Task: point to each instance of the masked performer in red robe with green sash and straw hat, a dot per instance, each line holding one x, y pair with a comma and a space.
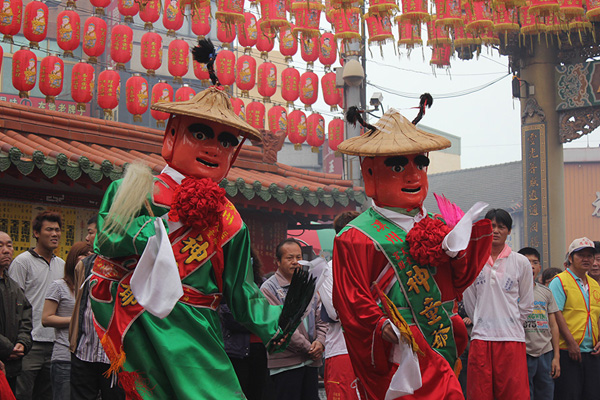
398, 270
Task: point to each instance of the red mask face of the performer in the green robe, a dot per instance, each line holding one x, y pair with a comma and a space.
199, 148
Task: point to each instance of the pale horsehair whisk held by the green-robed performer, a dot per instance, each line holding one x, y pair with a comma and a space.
137, 186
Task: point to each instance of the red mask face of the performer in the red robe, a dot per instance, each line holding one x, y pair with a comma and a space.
396, 181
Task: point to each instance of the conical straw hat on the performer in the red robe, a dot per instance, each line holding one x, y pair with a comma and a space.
395, 136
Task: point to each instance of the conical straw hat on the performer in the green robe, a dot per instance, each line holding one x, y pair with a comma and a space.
211, 104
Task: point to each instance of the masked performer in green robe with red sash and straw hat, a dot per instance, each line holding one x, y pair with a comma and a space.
170, 248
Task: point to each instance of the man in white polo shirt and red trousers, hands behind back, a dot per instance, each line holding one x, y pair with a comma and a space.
498, 303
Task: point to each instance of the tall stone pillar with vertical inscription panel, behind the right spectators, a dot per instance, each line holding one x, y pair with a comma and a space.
542, 151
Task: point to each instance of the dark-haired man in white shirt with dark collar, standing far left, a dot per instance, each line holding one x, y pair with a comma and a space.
34, 270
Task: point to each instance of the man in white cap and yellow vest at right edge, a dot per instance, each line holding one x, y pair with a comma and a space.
578, 300
